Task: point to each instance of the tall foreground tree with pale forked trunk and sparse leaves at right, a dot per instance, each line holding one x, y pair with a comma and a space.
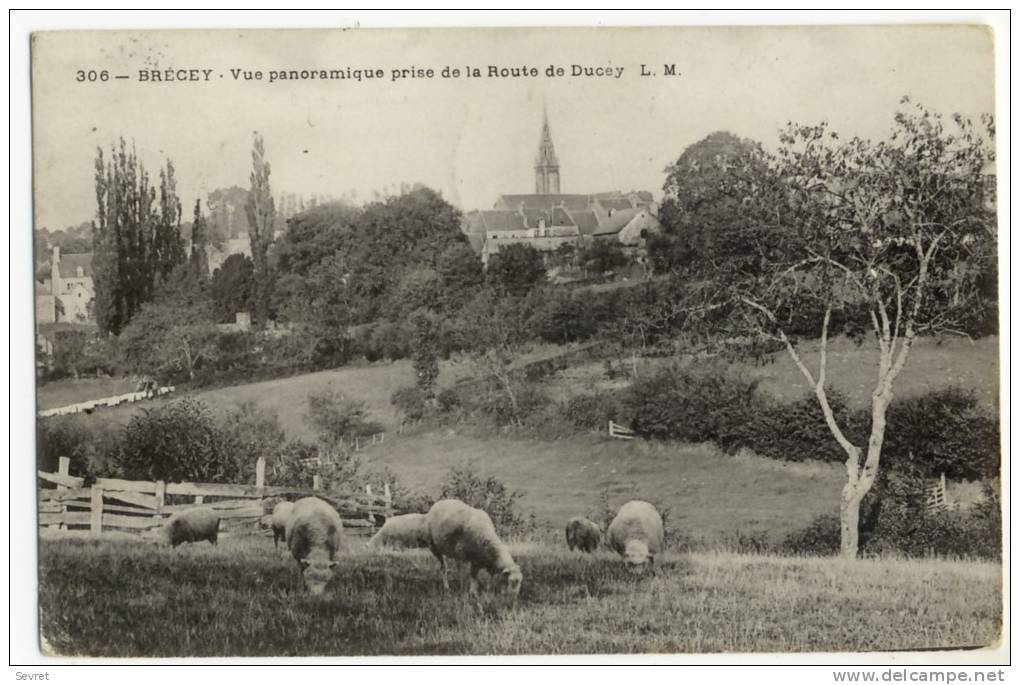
871, 236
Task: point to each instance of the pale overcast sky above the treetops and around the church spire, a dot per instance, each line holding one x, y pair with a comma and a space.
472, 139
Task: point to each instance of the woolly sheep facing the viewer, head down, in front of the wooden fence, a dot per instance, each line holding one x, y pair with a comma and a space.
315, 535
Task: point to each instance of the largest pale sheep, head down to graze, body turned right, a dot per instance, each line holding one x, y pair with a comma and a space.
466, 534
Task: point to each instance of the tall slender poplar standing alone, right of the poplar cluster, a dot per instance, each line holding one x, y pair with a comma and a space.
262, 218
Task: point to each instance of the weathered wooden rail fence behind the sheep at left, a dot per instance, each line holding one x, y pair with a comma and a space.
113, 504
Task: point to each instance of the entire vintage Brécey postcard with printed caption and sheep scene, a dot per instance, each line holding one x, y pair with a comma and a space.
518, 341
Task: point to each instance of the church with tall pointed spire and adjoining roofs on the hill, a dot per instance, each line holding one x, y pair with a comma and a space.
549, 220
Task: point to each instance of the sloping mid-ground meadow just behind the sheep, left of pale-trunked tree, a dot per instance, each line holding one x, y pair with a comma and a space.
709, 496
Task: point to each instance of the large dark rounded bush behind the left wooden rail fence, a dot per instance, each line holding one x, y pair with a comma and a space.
180, 442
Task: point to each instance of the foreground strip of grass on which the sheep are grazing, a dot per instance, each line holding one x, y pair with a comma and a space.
117, 599
